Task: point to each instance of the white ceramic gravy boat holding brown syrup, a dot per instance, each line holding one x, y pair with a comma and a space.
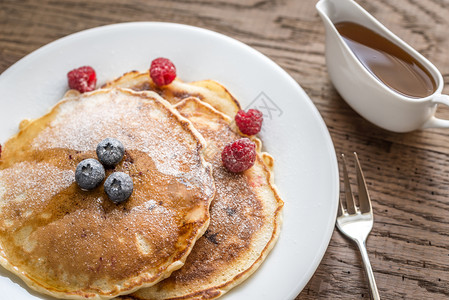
366, 94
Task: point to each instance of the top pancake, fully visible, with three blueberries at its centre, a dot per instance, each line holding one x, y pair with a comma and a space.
70, 243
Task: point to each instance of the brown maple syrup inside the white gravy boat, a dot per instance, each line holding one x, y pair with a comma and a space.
389, 63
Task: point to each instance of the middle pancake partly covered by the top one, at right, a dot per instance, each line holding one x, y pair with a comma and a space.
245, 219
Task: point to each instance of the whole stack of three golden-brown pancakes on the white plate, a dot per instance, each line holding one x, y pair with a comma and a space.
190, 230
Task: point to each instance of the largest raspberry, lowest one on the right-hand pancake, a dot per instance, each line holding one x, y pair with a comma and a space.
239, 155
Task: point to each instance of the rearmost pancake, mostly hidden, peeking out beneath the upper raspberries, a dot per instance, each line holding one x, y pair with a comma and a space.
208, 91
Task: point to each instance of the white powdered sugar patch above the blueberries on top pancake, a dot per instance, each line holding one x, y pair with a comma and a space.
93, 120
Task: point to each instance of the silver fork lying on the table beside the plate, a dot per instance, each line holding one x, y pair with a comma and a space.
355, 221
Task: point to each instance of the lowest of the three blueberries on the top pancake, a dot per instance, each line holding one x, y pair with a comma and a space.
118, 186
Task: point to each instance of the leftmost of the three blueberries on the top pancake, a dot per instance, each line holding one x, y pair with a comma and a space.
89, 174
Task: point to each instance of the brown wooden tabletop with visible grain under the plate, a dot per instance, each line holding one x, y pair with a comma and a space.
407, 174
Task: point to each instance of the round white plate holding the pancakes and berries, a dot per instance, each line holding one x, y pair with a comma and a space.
306, 171
